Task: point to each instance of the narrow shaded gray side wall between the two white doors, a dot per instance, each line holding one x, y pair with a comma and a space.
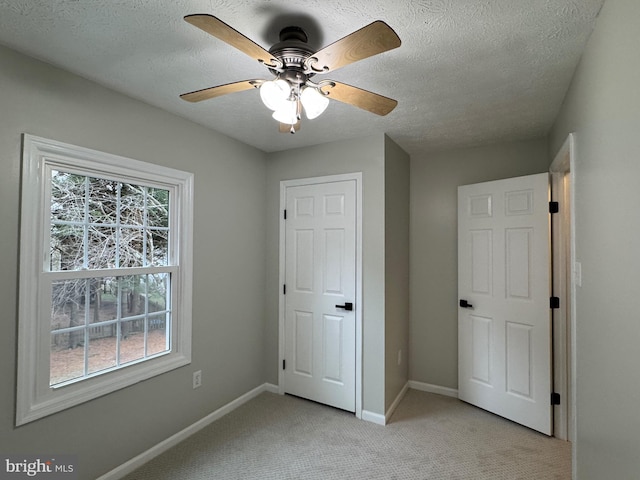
396, 182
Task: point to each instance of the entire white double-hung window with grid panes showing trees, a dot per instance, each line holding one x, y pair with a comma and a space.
105, 274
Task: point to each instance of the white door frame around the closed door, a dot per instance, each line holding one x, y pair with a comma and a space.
284, 184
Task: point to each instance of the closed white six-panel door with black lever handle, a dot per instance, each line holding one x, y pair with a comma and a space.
320, 276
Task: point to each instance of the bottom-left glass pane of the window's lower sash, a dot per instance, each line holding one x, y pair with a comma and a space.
66, 363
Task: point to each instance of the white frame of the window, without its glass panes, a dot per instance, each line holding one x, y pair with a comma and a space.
35, 397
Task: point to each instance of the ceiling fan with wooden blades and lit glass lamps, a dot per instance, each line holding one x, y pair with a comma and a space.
294, 65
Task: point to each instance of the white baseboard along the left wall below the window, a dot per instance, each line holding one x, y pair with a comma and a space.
173, 440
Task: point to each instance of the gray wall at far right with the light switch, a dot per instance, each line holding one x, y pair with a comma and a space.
602, 108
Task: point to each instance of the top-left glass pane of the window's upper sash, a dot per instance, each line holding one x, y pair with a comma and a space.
67, 197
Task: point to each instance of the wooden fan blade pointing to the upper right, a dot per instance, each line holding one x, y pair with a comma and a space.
375, 38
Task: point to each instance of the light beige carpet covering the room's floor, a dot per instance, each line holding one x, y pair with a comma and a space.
428, 437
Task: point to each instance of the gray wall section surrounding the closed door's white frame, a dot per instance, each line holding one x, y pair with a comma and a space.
367, 156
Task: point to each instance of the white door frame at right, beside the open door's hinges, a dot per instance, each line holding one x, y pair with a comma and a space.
564, 279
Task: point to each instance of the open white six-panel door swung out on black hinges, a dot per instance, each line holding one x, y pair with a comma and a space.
504, 335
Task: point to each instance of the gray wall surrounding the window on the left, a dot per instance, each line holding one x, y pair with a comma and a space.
229, 272
